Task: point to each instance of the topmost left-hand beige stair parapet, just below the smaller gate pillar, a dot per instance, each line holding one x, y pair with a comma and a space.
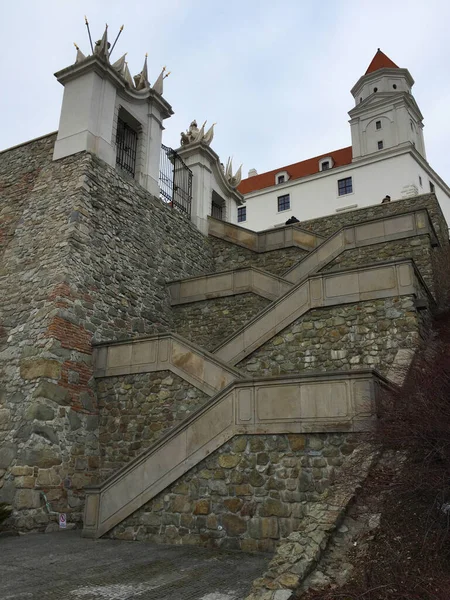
258, 241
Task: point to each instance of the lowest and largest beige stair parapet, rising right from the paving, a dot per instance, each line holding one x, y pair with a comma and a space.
333, 402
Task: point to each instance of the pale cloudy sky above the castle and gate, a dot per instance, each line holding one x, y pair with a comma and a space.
275, 75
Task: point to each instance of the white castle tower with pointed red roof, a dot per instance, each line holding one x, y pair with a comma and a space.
385, 114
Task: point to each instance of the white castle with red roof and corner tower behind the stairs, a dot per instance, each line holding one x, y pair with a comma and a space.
387, 157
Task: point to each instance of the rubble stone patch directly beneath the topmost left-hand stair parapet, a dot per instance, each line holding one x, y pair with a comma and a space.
228, 256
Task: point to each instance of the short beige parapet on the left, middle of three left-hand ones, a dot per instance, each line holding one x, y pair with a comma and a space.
228, 283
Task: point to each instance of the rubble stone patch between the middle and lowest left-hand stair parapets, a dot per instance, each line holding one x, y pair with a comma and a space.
208, 322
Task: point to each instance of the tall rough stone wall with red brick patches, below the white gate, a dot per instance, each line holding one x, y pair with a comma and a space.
87, 257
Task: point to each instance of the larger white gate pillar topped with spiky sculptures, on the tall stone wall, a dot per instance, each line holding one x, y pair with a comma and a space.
107, 112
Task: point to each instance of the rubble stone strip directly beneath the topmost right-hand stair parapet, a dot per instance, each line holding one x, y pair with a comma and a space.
418, 248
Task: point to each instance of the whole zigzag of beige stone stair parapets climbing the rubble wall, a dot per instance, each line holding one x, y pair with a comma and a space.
327, 402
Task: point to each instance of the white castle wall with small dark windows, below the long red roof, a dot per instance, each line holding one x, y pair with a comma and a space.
317, 195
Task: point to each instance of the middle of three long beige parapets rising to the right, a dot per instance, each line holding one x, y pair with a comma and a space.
313, 293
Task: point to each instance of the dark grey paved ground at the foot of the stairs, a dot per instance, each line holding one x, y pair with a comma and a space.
65, 566
